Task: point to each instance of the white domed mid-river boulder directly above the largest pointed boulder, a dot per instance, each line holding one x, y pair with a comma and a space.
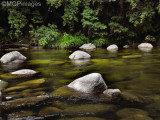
79, 55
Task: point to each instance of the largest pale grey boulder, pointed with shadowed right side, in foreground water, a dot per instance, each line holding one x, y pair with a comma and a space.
92, 83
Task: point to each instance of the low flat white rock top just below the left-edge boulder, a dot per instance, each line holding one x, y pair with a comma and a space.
24, 72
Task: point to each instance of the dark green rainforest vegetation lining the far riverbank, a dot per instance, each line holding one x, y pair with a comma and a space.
70, 23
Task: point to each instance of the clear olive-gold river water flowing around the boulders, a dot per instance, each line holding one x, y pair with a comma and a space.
135, 73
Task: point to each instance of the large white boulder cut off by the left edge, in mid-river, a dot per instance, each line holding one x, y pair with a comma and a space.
12, 56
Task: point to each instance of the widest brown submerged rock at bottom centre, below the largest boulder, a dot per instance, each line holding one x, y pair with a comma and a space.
89, 109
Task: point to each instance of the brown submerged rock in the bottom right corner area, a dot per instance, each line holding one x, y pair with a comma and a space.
127, 112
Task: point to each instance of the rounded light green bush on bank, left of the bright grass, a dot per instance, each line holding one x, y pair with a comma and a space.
47, 36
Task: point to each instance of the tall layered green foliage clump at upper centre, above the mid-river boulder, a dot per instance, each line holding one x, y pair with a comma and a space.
91, 23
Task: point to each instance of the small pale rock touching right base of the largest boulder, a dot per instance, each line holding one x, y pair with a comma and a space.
112, 92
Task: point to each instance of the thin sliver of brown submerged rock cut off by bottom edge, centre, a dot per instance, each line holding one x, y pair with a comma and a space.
83, 118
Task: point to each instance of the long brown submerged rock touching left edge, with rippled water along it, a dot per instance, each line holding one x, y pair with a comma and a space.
22, 102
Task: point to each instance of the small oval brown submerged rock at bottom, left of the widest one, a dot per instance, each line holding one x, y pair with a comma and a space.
49, 111
